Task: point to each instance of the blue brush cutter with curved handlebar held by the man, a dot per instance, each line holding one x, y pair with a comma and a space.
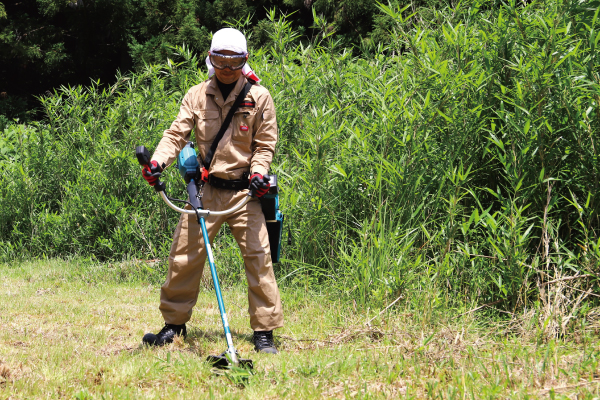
189, 169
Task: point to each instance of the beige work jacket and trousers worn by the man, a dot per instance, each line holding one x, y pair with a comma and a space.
247, 146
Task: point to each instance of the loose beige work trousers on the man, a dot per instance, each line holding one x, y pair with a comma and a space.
186, 260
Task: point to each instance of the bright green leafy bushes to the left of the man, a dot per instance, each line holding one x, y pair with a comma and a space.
75, 161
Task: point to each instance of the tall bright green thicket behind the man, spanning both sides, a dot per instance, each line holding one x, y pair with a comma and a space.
460, 158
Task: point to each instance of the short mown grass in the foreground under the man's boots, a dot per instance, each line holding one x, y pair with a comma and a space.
70, 330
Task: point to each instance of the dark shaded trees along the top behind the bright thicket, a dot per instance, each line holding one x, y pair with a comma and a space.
45, 44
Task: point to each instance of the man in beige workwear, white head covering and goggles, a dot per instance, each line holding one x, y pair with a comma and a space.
245, 150
